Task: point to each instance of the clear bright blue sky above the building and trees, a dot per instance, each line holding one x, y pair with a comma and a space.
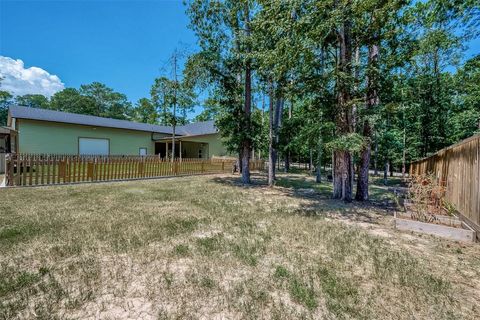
121, 43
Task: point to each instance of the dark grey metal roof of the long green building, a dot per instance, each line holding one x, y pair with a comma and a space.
19, 112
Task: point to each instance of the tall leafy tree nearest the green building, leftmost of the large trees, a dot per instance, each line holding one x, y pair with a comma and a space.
224, 33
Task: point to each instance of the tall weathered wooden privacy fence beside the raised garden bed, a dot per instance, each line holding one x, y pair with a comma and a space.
458, 169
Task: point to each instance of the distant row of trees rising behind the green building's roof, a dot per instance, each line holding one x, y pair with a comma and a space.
97, 99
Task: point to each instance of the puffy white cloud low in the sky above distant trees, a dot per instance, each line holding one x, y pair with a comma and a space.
19, 81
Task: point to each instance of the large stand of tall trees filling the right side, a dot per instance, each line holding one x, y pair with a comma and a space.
363, 84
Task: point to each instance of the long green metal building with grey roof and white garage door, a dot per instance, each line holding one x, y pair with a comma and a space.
41, 131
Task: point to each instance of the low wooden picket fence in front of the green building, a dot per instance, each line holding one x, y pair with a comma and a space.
41, 169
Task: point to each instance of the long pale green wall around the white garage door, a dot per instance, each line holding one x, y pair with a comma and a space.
51, 137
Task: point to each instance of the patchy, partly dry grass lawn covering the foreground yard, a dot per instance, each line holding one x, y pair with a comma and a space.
206, 247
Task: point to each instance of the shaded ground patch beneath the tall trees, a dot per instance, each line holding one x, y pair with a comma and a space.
316, 197
